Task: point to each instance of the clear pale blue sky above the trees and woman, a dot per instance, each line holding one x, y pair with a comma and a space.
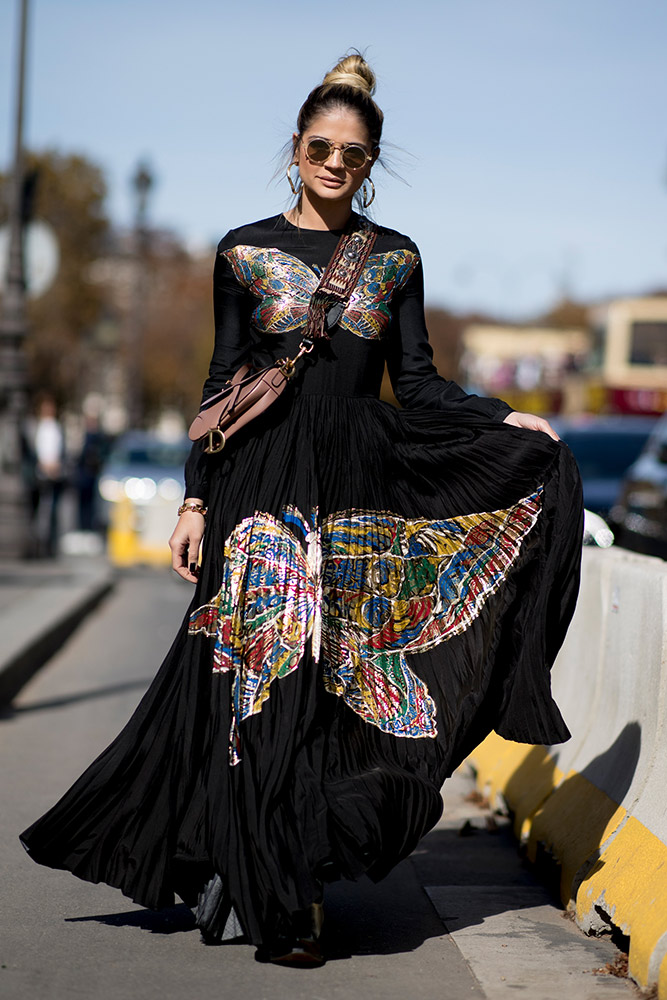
537, 128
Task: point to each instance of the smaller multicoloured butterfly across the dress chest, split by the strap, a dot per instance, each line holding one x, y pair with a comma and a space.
283, 286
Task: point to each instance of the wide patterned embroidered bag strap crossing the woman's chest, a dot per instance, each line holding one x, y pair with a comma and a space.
339, 279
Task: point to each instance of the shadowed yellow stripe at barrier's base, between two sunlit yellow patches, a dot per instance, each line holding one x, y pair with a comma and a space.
571, 824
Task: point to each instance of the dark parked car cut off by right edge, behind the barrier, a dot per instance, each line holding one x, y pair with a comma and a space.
640, 516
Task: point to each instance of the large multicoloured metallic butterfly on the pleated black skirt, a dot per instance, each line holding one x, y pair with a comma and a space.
368, 589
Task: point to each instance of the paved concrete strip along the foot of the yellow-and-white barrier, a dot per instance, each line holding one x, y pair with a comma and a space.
514, 936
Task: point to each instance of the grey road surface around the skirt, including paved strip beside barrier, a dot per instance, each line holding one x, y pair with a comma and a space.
61, 938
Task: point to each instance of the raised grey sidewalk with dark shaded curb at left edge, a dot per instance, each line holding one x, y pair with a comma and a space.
41, 603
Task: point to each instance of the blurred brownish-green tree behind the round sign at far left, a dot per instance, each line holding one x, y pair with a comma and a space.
69, 194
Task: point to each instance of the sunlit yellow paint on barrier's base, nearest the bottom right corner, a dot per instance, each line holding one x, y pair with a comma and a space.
629, 882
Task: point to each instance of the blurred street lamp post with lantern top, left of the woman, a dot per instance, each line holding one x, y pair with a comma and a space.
142, 182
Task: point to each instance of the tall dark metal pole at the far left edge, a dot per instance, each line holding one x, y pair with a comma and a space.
14, 512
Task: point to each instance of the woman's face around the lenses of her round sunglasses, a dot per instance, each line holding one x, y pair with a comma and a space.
333, 181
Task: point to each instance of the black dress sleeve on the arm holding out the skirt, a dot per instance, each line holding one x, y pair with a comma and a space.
414, 377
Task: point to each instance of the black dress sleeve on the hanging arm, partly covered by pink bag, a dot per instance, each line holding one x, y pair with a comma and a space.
231, 350
